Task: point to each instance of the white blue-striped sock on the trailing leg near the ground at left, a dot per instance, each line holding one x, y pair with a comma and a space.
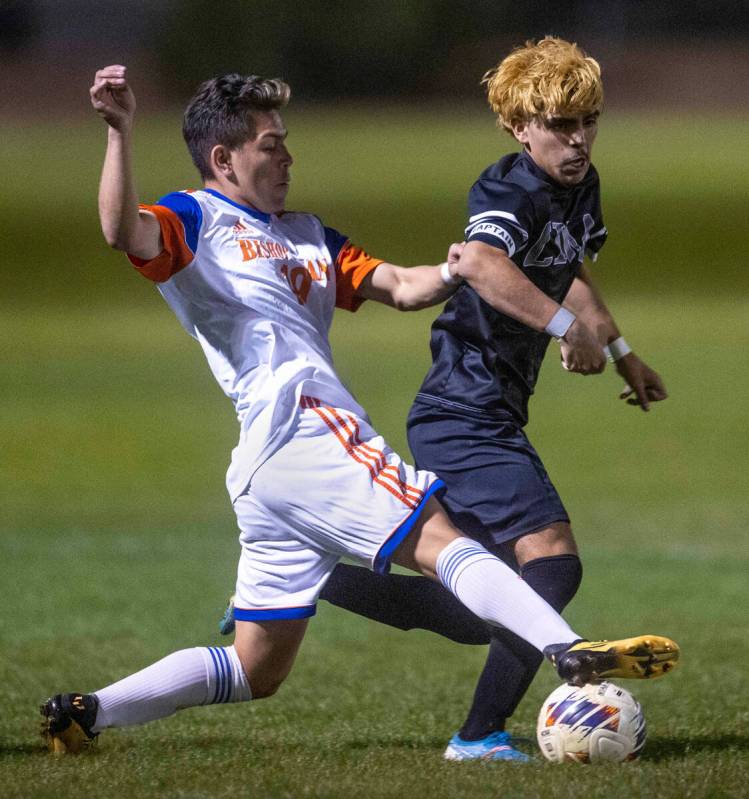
198, 676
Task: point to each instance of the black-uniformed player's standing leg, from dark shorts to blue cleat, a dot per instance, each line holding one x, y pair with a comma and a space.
499, 493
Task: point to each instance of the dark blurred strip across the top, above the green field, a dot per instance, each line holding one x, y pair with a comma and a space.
654, 51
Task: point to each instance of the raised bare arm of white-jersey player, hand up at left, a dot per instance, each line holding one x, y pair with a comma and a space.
124, 226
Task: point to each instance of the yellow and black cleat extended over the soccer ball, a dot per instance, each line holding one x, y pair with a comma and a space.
641, 658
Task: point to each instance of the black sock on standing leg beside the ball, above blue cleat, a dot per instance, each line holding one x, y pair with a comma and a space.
512, 663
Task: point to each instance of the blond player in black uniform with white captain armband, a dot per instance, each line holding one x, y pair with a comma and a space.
533, 217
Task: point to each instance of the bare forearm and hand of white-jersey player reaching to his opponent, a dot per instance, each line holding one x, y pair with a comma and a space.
414, 287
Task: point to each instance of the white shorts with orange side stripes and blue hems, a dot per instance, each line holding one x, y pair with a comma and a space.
334, 489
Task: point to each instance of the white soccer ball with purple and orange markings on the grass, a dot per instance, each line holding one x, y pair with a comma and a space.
591, 724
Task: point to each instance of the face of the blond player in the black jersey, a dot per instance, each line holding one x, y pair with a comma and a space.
560, 145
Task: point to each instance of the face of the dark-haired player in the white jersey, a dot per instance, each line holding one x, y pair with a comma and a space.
261, 166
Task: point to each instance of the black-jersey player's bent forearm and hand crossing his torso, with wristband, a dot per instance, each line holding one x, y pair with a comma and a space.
498, 282
